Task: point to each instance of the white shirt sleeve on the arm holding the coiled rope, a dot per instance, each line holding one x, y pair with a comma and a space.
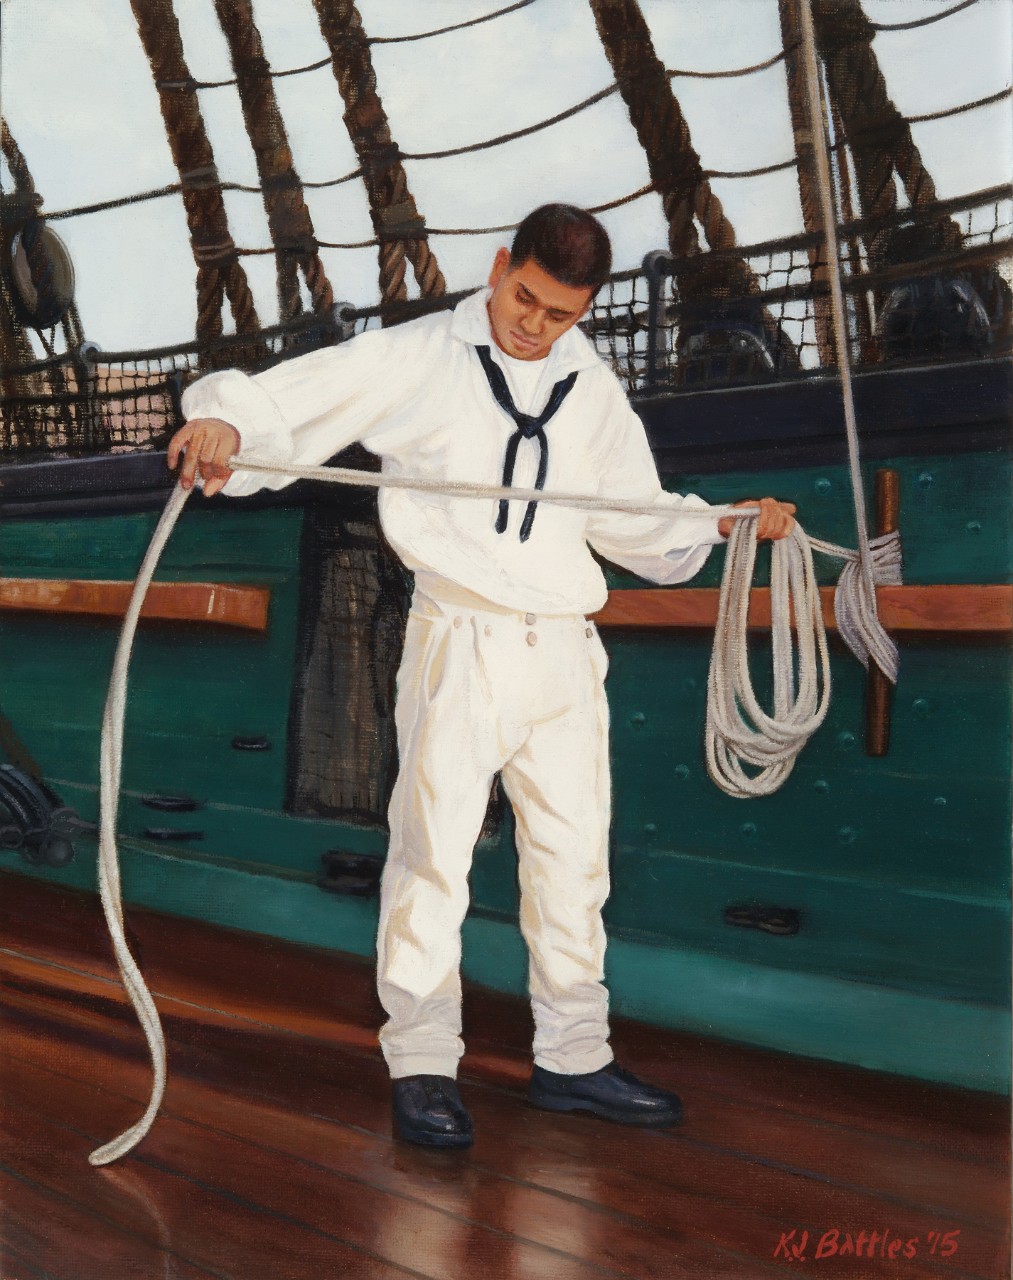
668, 548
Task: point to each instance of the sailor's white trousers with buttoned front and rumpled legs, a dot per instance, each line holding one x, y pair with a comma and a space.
483, 691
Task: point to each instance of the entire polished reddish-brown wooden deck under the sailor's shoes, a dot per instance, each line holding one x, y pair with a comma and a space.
273, 1155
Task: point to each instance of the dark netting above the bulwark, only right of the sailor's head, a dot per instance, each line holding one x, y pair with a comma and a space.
925, 285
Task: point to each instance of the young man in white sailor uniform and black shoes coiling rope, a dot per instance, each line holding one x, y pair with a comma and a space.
503, 673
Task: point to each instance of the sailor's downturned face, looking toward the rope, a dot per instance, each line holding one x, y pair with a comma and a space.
531, 309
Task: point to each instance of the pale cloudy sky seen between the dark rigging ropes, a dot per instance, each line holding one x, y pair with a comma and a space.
77, 93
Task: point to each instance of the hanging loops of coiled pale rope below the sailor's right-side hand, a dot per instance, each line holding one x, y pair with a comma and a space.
738, 732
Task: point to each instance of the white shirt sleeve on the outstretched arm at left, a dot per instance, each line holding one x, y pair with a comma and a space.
308, 409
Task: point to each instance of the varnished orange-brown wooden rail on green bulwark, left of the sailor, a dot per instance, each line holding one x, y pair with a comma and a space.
220, 604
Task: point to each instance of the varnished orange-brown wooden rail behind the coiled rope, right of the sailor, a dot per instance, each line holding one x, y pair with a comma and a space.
970, 609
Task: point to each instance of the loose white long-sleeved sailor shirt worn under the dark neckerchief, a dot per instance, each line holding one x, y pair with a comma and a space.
417, 396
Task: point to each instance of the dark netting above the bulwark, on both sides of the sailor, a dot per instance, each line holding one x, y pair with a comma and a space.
924, 285
